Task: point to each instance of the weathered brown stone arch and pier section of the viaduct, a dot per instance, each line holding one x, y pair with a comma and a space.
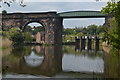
50, 20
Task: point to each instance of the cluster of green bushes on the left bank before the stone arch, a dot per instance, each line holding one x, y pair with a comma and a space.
16, 36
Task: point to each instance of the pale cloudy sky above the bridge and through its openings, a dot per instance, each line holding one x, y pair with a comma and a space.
61, 7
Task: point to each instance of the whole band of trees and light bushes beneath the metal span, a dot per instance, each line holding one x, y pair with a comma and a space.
91, 30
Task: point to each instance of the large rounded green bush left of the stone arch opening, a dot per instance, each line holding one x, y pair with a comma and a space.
16, 35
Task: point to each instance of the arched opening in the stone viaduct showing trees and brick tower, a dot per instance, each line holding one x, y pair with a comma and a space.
34, 31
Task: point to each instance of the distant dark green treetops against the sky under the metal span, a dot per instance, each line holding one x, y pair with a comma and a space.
90, 30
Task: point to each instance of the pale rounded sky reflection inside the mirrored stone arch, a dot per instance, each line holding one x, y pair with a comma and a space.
33, 60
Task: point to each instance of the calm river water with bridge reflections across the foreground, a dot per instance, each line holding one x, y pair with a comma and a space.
58, 62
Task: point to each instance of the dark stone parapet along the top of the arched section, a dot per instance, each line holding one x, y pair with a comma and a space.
28, 15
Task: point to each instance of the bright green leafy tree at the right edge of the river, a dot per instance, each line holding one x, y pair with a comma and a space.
113, 33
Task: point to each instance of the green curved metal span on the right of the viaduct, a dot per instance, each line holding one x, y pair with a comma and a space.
81, 14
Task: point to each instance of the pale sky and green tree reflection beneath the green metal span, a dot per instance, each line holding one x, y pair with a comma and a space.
82, 61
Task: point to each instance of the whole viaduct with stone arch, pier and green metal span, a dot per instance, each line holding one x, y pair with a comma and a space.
52, 21
